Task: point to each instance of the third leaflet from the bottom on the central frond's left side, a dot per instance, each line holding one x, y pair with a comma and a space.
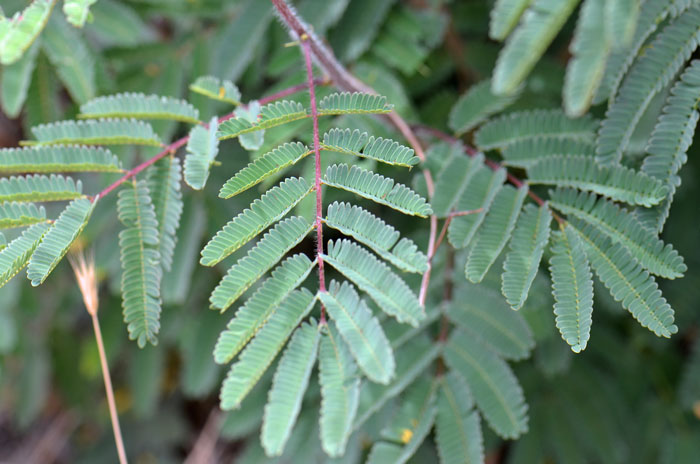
258, 309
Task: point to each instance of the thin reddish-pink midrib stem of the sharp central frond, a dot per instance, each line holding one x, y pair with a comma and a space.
317, 175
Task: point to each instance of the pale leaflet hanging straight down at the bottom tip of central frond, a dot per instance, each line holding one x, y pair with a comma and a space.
340, 391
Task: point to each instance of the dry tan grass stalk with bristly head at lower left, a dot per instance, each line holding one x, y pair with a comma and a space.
87, 282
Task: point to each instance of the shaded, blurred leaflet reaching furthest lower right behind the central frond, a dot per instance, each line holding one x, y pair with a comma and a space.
496, 390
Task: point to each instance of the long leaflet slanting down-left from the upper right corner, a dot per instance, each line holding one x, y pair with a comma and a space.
650, 73
